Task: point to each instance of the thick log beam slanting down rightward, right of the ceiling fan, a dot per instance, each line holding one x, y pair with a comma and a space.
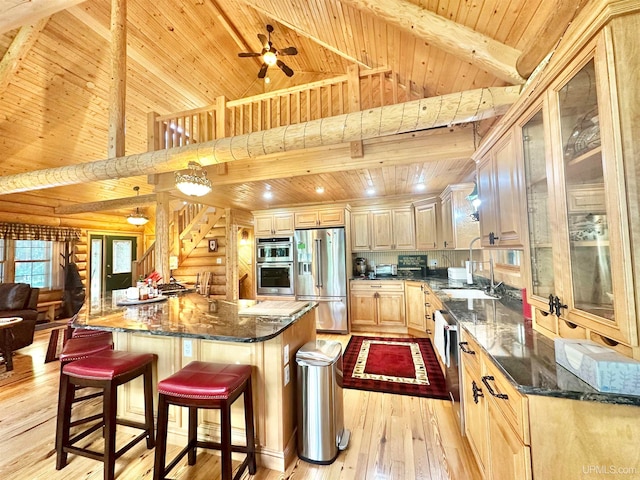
454, 38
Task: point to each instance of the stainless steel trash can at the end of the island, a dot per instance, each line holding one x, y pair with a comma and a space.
321, 432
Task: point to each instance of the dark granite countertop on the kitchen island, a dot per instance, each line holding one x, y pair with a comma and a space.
187, 315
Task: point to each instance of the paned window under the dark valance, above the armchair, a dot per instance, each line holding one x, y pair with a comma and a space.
33, 262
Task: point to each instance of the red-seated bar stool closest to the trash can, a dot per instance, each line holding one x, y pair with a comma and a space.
210, 386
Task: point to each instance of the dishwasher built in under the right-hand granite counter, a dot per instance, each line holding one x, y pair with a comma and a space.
446, 345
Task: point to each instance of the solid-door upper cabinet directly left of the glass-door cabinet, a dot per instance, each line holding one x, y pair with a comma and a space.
499, 189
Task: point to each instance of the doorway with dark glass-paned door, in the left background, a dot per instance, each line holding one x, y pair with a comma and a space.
112, 259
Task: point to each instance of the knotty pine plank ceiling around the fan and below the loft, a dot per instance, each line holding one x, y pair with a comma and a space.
182, 55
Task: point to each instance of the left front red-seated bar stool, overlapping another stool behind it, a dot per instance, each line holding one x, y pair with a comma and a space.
105, 370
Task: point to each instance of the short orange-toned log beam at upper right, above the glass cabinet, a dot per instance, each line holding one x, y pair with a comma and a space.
549, 35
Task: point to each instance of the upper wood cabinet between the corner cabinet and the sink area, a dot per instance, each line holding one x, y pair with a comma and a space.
458, 226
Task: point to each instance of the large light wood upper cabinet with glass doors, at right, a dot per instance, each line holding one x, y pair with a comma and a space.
577, 138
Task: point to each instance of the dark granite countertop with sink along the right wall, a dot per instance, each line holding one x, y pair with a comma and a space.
526, 357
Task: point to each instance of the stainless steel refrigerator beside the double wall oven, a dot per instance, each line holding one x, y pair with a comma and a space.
321, 275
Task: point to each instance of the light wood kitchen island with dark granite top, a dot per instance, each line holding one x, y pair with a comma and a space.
183, 328
